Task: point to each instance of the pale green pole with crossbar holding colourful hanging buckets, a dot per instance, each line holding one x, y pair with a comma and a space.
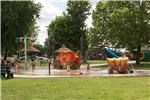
25, 40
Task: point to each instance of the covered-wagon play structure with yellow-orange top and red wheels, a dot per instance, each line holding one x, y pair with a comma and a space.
119, 65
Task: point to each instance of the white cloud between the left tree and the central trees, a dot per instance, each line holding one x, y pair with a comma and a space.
48, 13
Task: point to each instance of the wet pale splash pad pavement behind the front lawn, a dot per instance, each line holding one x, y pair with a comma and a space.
95, 72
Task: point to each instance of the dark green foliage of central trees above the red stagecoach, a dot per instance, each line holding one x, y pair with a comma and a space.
70, 27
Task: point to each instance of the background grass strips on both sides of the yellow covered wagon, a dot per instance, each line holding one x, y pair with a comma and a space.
144, 66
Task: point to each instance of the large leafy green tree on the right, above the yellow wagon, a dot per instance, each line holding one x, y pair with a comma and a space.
126, 23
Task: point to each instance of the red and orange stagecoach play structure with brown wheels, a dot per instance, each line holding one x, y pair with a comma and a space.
70, 58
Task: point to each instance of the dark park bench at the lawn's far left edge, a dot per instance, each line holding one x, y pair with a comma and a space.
6, 70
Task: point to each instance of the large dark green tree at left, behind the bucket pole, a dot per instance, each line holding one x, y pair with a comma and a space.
16, 19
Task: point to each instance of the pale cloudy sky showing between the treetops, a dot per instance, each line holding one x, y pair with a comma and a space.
51, 9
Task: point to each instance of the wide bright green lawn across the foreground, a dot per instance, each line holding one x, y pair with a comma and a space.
94, 88
